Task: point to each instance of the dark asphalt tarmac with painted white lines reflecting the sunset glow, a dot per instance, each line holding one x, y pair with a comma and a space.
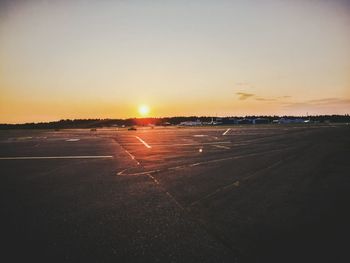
265, 193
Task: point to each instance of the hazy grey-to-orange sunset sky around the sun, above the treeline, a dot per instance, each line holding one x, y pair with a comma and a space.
103, 59
